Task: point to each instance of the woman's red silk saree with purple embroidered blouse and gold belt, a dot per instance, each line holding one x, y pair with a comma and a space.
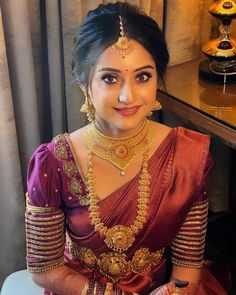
176, 213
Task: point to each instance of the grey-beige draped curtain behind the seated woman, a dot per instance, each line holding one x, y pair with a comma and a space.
38, 98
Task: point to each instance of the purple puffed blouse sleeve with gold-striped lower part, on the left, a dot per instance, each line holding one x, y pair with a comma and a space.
45, 236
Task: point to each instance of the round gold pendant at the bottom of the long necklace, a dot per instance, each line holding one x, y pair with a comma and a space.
119, 238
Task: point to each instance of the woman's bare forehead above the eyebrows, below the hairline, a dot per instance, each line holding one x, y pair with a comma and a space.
138, 57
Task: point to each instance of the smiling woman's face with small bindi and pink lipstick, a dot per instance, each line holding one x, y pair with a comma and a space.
123, 90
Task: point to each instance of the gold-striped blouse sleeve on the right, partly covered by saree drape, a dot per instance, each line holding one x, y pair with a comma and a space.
189, 244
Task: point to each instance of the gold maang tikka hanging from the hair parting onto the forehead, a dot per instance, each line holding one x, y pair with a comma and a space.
123, 45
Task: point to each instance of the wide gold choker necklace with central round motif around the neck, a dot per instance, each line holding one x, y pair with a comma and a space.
120, 152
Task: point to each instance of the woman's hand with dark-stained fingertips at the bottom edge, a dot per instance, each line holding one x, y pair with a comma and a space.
175, 287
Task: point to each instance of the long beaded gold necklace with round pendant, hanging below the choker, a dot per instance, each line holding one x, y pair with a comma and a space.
119, 237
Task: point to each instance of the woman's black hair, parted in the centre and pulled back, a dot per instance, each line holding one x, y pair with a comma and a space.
100, 30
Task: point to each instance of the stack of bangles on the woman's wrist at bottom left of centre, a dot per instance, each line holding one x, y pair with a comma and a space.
97, 288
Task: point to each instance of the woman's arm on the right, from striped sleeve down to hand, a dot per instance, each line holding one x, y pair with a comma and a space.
189, 245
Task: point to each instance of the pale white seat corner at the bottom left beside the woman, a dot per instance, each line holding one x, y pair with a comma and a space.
20, 283
